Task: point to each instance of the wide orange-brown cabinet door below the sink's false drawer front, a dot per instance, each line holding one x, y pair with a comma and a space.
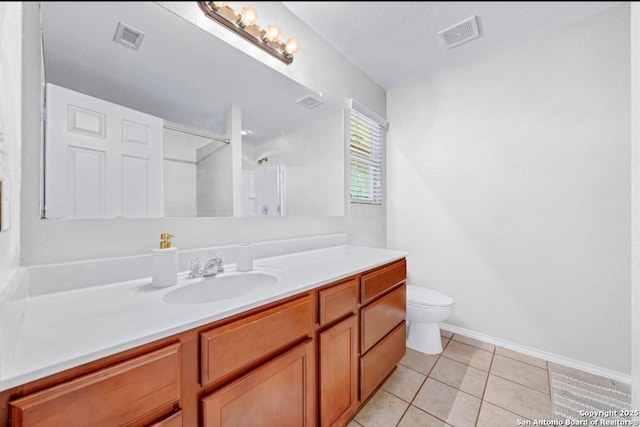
278, 393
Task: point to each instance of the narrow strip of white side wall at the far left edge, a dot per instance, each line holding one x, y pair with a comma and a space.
10, 120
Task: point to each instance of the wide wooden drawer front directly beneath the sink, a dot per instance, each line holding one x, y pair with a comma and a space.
231, 347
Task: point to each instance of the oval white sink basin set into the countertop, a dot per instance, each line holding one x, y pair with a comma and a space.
223, 286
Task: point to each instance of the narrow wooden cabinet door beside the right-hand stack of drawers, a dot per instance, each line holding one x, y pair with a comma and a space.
339, 373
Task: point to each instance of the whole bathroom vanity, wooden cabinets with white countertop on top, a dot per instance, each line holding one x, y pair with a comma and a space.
310, 351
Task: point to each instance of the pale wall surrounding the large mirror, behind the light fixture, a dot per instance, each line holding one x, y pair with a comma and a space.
317, 66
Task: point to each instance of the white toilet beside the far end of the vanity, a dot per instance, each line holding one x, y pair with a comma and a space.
426, 308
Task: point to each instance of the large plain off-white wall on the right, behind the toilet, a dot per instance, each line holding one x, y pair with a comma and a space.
510, 187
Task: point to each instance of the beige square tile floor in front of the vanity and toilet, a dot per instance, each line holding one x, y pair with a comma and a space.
471, 383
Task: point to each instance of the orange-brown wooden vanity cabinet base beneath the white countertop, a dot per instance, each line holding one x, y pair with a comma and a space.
309, 359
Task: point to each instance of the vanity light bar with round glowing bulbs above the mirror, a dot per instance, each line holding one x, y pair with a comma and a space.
244, 24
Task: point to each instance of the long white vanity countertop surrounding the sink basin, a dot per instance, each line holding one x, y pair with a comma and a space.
66, 329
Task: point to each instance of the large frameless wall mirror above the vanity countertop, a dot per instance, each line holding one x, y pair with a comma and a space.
139, 105
